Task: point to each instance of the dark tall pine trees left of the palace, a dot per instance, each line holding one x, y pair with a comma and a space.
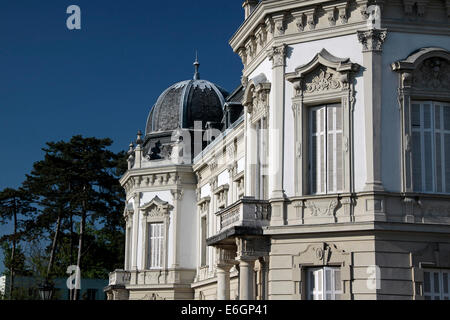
77, 213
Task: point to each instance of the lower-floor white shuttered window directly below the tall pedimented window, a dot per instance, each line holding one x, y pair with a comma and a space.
323, 283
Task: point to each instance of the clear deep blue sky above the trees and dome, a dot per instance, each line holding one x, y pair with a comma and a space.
103, 79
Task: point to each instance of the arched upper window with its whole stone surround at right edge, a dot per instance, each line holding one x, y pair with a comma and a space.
424, 97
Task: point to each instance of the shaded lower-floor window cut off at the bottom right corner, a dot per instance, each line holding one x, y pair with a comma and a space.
436, 284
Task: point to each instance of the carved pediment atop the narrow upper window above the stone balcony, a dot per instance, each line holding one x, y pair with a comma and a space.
256, 97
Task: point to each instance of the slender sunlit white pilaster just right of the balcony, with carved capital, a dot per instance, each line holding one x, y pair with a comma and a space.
276, 122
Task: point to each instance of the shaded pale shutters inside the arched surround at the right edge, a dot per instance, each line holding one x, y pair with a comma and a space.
430, 126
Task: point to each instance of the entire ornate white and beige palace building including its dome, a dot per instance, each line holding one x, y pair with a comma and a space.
325, 175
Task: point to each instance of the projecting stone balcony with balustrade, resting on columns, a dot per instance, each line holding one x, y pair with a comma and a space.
247, 216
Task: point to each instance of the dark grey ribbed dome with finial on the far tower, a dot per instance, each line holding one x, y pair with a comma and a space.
185, 102
